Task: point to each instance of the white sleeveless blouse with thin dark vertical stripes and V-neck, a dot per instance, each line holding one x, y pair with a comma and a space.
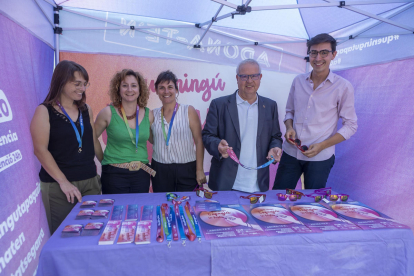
181, 148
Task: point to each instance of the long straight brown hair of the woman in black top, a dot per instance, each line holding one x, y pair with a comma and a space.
64, 73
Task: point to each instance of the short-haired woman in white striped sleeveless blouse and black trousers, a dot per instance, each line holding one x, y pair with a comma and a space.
175, 131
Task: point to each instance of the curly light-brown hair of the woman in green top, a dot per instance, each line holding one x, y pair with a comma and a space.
116, 84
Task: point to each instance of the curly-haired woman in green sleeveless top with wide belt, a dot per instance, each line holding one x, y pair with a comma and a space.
127, 122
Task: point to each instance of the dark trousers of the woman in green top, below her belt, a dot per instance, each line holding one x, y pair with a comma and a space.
123, 181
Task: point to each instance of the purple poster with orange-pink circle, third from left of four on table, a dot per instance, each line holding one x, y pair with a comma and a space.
318, 217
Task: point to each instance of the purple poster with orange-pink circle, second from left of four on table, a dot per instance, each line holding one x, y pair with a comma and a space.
276, 220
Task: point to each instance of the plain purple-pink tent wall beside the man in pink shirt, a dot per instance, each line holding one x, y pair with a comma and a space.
375, 166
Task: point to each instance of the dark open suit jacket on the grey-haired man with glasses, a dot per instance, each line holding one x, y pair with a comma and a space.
223, 123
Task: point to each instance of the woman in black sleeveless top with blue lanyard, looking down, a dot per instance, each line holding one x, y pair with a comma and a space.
63, 140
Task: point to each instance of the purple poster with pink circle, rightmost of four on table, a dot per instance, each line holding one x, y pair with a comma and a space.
365, 217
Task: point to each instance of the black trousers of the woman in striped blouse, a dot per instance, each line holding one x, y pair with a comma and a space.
174, 177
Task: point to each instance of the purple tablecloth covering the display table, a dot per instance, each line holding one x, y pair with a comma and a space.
364, 252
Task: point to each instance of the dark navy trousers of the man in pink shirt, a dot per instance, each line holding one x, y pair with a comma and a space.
290, 169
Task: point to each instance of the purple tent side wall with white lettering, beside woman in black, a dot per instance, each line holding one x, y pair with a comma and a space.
27, 65
